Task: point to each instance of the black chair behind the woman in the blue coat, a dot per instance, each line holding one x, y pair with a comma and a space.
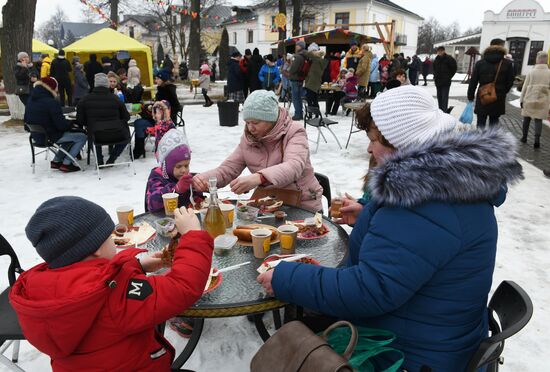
514, 309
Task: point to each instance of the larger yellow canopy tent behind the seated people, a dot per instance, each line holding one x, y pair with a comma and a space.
107, 41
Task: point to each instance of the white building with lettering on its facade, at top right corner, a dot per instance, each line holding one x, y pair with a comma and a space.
526, 28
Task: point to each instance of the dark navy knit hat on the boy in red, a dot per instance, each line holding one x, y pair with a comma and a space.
67, 229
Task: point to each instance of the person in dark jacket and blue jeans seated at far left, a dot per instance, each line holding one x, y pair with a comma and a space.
44, 110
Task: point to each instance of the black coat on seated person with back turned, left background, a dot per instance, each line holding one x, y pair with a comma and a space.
102, 105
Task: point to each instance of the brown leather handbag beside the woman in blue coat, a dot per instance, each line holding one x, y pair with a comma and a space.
295, 348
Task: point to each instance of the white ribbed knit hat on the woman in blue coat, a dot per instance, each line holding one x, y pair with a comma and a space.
409, 114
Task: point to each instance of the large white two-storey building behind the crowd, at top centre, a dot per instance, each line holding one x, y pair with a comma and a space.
254, 26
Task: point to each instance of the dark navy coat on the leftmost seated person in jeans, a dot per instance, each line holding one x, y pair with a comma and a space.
44, 110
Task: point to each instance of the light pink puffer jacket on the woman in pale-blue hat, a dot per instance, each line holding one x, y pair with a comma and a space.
282, 156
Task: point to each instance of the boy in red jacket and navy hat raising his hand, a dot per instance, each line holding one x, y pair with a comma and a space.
89, 308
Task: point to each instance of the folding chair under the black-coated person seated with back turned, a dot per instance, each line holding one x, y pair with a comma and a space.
99, 130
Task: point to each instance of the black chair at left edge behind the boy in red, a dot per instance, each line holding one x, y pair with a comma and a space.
10, 330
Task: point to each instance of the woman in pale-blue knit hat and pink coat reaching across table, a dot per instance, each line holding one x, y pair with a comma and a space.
274, 149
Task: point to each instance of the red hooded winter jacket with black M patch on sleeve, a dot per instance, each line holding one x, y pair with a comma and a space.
99, 315
